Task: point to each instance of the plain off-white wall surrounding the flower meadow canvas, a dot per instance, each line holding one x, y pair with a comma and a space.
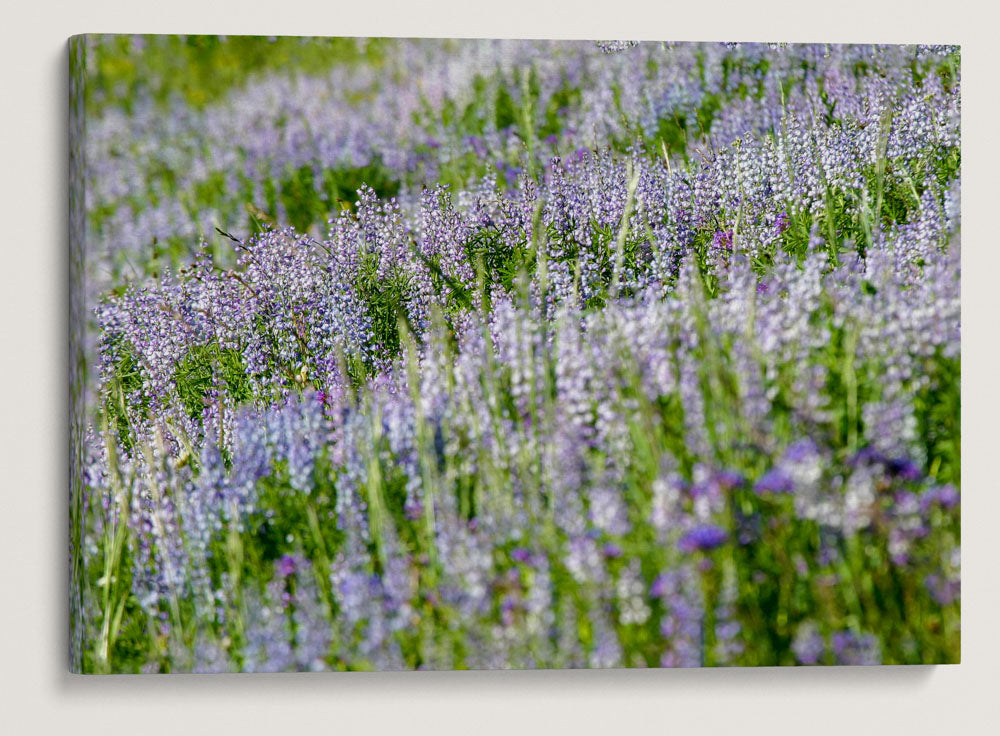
36, 694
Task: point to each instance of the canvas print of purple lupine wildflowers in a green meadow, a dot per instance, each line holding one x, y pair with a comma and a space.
411, 354
